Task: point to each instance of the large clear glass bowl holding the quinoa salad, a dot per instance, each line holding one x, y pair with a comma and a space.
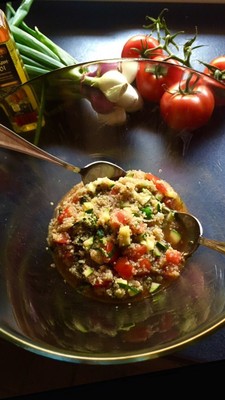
39, 310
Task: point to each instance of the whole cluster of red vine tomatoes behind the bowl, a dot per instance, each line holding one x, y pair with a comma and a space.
186, 101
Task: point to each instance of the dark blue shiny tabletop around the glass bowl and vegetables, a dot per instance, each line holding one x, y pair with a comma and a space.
97, 30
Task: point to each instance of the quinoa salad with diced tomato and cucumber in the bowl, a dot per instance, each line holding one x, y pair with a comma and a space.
117, 240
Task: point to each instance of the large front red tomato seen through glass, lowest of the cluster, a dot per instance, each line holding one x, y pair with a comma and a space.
187, 111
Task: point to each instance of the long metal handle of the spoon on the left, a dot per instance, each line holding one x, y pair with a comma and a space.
10, 140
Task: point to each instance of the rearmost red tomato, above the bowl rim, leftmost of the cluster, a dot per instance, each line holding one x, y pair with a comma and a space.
141, 46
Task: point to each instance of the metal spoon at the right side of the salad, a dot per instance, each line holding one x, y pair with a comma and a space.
192, 232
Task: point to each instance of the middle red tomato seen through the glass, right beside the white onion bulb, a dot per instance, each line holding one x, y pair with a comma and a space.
153, 79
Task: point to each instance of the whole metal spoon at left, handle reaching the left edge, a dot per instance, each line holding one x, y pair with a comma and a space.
97, 169
